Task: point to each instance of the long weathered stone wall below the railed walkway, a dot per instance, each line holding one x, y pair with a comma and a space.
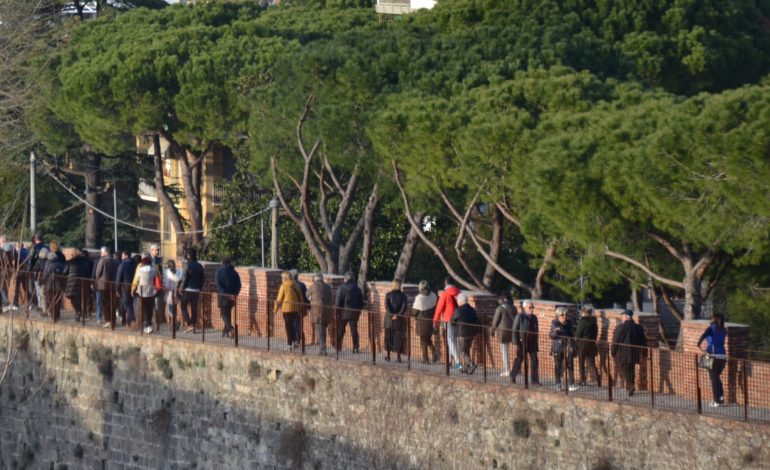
80, 398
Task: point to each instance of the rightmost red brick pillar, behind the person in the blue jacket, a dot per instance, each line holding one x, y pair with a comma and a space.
737, 346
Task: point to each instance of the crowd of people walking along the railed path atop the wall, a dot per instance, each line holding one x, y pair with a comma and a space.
118, 287
